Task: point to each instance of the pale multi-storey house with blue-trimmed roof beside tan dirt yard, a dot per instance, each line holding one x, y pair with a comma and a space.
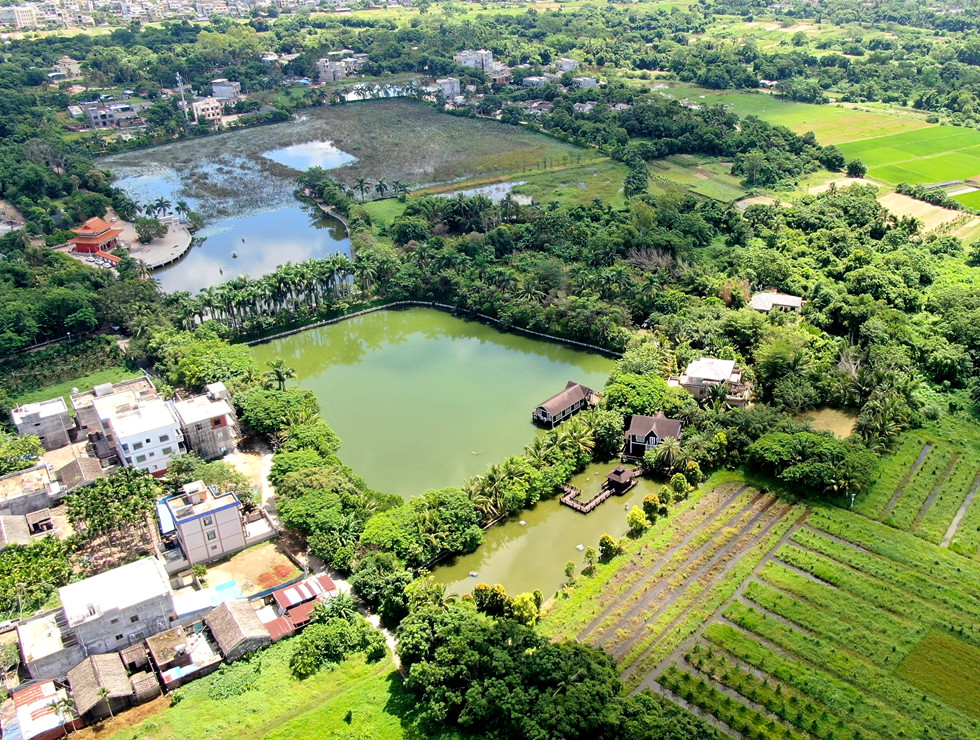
208, 524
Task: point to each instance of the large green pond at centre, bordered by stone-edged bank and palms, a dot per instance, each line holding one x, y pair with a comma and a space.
422, 399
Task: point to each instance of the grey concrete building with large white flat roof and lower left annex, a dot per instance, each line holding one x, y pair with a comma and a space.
107, 612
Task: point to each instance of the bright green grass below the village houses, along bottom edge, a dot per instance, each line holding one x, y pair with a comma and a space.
354, 699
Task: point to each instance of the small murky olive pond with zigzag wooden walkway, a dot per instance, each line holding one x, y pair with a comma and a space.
533, 556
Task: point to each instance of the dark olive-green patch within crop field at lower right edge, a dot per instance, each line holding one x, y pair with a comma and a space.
946, 667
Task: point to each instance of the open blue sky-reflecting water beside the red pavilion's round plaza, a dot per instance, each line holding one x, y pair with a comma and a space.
262, 241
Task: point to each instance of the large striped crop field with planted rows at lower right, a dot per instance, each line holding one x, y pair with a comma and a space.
775, 618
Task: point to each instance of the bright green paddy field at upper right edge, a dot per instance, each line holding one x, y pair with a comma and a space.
934, 154
